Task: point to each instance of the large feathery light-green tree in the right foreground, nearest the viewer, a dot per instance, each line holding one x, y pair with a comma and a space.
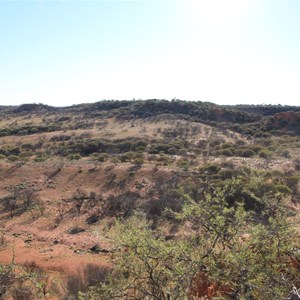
225, 253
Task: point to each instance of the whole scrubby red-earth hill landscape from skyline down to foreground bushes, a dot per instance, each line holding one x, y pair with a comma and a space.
71, 177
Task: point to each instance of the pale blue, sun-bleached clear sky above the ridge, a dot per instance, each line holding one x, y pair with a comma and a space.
228, 52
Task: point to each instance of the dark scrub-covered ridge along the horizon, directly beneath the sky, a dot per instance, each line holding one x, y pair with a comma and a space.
253, 120
